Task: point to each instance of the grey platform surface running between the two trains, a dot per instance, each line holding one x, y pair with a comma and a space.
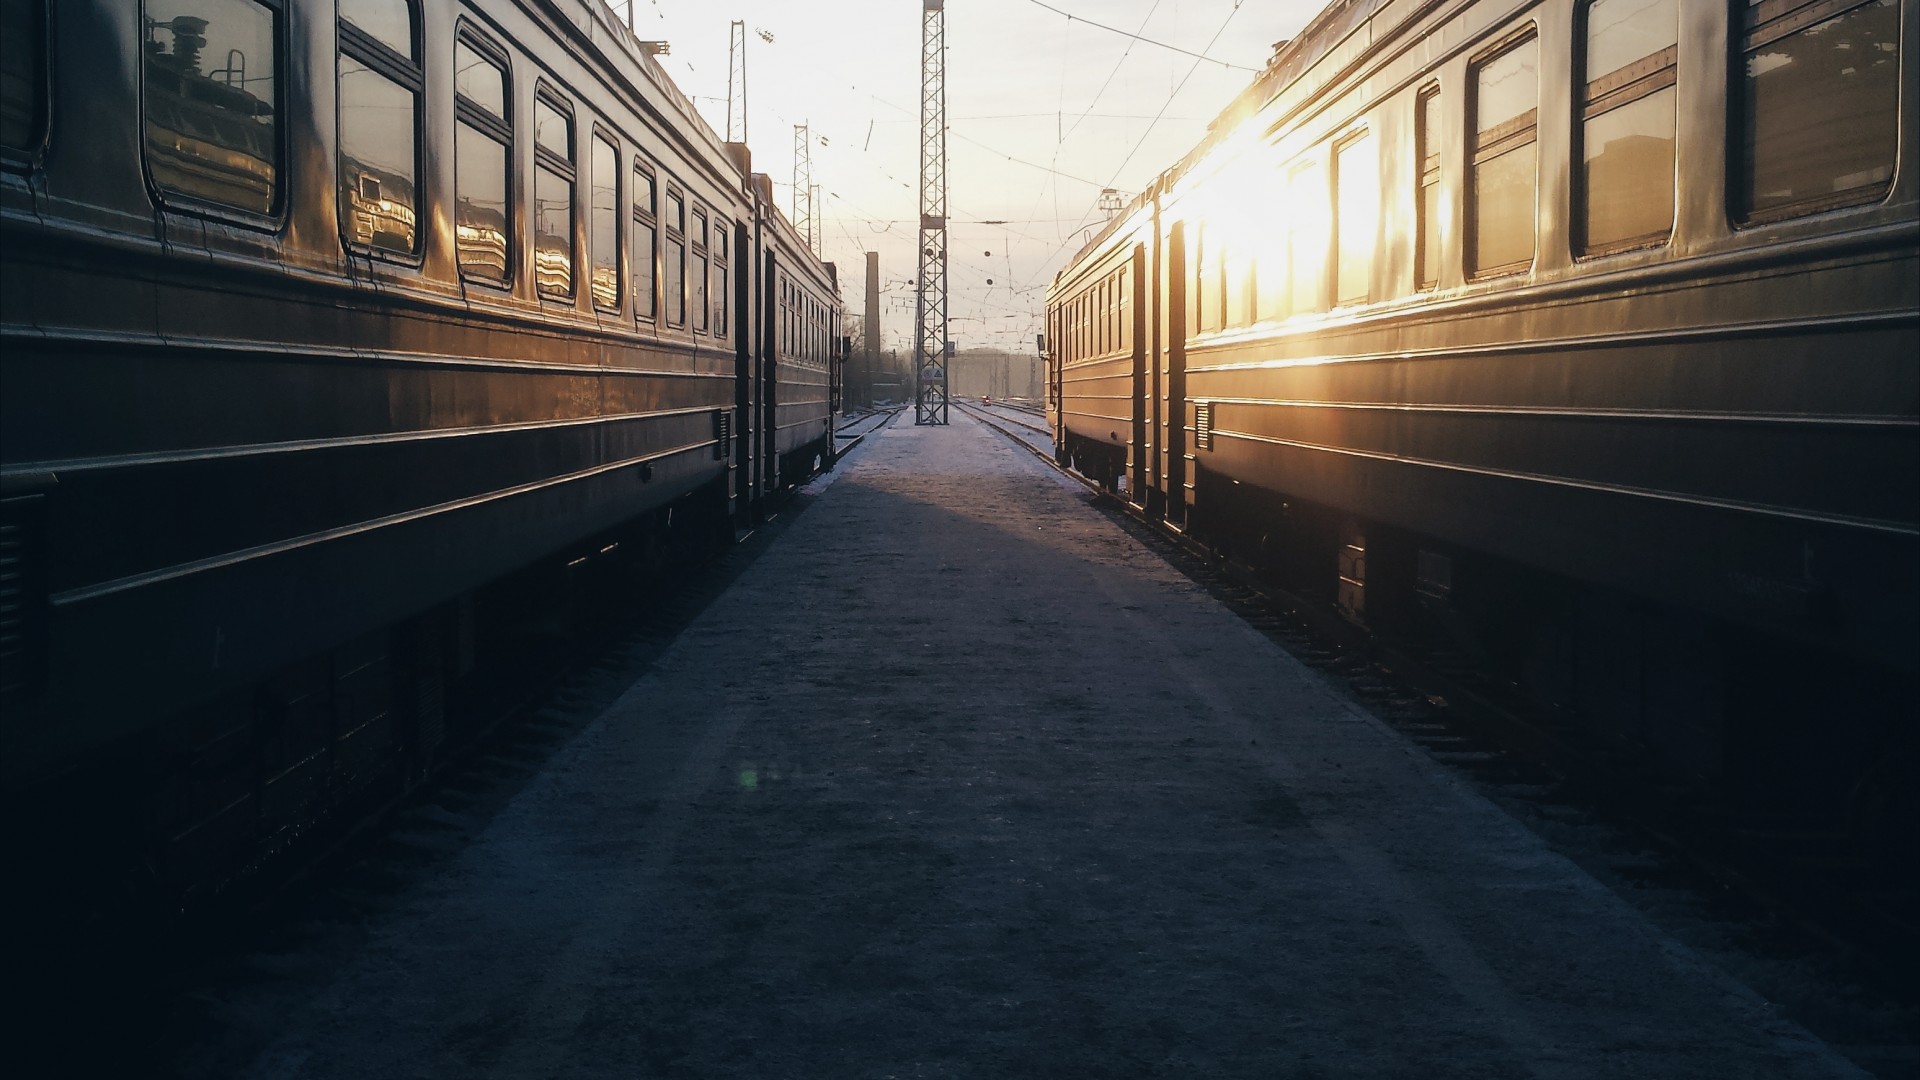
961, 781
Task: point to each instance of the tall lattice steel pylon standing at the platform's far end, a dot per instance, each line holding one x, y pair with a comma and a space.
930, 285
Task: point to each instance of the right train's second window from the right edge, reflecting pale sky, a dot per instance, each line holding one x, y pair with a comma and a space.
1627, 126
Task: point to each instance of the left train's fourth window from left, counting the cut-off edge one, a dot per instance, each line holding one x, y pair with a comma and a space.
481, 162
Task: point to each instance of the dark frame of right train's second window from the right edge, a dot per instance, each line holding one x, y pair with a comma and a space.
1595, 99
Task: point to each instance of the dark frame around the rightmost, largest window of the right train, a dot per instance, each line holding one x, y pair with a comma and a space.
1750, 32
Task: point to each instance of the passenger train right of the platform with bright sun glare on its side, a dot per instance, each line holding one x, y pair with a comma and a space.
1581, 333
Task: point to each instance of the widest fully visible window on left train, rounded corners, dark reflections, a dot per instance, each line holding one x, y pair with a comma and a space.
212, 103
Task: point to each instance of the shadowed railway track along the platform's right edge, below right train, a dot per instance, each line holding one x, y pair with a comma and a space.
1800, 885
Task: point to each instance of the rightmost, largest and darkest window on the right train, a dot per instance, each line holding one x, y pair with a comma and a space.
1817, 120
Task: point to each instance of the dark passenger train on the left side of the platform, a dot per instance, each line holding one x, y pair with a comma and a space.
316, 320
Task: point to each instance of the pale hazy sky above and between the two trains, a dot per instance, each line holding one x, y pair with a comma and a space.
1044, 114
